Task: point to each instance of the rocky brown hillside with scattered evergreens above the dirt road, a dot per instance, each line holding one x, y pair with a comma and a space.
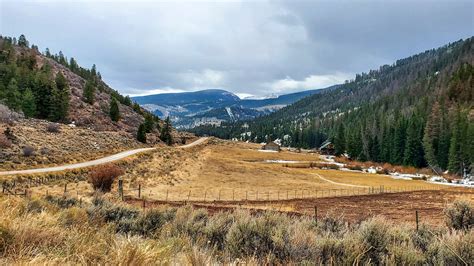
51, 87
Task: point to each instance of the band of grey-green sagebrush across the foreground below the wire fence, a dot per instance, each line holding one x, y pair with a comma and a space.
275, 238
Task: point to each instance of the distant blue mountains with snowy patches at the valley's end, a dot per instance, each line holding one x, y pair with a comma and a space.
212, 107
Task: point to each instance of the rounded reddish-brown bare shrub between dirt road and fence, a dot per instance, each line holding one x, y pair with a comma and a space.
103, 176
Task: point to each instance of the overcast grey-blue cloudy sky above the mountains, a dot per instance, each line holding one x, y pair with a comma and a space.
251, 48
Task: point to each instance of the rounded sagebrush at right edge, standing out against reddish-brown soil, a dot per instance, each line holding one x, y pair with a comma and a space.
460, 215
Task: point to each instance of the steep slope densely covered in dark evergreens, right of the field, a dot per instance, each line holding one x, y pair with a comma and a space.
417, 111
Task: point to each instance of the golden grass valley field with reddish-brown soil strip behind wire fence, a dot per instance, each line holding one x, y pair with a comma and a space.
224, 175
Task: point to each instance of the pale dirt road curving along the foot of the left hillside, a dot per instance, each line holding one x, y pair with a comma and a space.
107, 159
